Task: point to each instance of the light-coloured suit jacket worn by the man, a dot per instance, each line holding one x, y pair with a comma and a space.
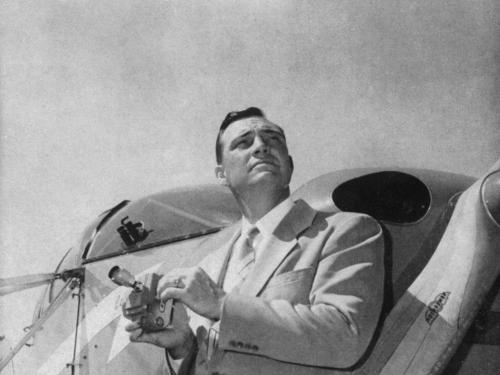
311, 303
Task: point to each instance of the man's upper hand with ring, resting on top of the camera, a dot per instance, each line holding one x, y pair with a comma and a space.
195, 289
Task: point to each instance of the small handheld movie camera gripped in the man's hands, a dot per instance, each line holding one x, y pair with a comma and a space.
141, 303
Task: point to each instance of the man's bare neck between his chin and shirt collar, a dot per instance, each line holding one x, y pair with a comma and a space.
255, 206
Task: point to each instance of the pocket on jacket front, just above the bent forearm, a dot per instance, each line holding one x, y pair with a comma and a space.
293, 286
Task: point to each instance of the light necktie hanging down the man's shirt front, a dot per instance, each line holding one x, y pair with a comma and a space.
243, 259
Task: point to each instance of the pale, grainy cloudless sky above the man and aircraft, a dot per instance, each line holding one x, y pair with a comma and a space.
102, 101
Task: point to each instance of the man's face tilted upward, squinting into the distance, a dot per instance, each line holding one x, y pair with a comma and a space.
254, 153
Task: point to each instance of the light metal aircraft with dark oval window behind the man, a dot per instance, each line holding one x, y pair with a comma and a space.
441, 311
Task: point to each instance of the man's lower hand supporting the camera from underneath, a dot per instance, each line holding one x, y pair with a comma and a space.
178, 338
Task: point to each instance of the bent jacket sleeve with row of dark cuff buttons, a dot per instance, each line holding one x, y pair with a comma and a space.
336, 326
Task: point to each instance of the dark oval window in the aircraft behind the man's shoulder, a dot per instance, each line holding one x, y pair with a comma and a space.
390, 196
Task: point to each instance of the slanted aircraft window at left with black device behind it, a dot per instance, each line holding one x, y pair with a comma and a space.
159, 219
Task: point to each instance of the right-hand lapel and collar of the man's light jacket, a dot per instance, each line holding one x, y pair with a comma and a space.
277, 247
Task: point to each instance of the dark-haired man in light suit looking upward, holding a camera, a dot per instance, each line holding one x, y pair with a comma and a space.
294, 291
